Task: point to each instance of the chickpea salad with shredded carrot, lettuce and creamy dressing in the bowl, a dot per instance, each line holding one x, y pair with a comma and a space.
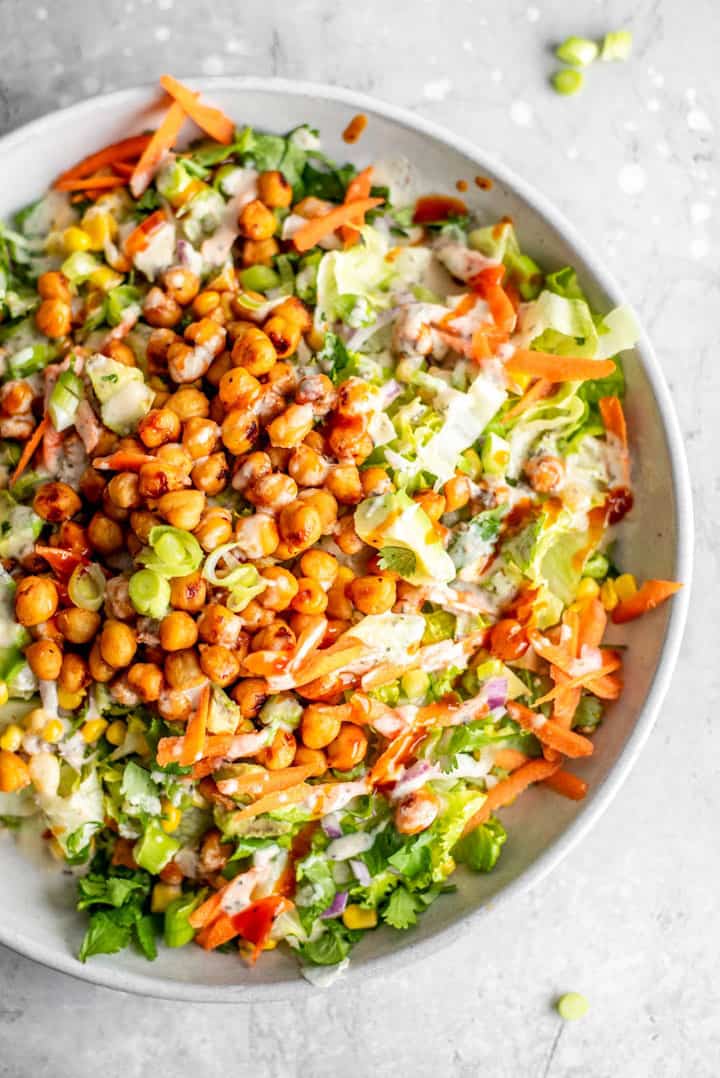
307, 510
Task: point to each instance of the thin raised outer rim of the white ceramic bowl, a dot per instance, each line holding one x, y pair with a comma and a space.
160, 988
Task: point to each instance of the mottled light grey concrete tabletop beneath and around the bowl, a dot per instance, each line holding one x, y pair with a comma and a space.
630, 919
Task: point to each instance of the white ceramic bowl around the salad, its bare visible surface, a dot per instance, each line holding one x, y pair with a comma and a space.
38, 911
